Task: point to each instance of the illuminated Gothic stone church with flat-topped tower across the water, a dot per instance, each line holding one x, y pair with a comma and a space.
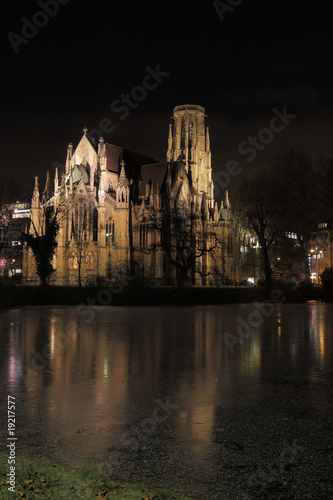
115, 208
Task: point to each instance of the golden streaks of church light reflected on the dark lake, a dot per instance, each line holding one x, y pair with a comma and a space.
87, 383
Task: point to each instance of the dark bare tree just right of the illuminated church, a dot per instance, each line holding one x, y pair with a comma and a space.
274, 204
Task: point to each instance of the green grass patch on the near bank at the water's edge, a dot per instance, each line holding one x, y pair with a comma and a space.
41, 479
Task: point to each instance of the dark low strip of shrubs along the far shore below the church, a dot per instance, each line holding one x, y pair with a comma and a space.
132, 295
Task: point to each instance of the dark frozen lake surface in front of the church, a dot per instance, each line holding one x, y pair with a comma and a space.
230, 401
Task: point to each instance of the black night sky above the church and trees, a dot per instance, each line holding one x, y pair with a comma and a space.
265, 54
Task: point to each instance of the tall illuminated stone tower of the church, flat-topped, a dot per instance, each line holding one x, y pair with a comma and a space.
189, 141
